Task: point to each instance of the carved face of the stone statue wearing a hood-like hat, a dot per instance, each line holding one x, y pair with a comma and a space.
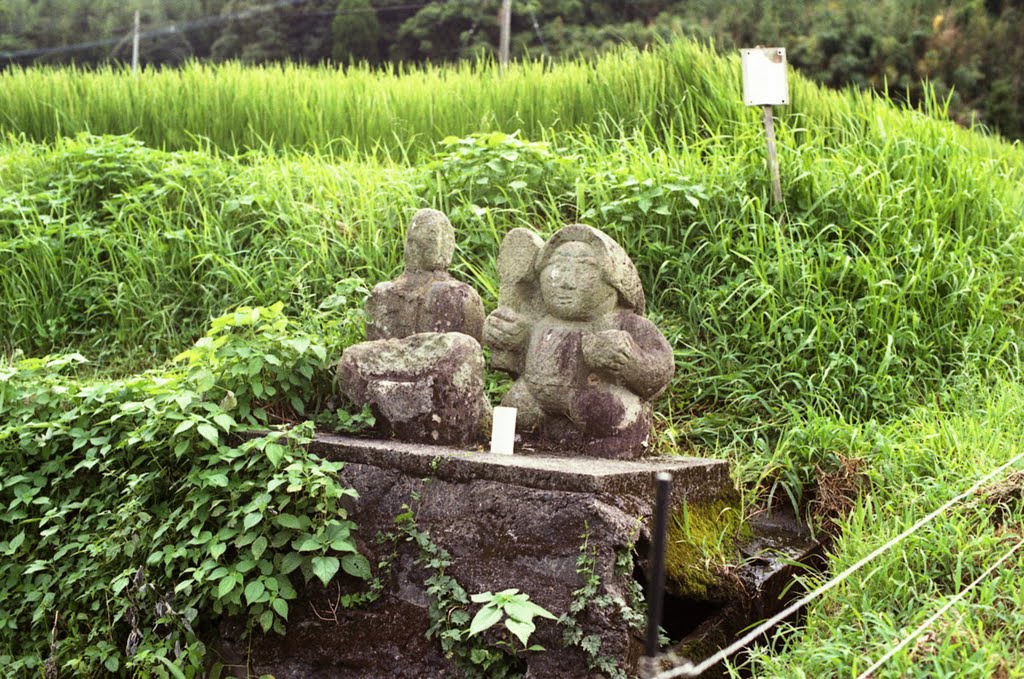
573, 284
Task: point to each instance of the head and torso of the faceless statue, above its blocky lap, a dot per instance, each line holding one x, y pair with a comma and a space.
425, 299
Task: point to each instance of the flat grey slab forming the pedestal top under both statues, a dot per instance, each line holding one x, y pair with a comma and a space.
694, 479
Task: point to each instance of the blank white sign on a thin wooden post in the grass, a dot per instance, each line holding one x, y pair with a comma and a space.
765, 86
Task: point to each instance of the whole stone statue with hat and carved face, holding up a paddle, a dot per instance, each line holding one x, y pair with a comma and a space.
570, 326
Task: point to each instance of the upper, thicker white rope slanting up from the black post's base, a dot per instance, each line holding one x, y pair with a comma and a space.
691, 670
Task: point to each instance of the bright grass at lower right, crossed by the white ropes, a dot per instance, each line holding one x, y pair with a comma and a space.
914, 465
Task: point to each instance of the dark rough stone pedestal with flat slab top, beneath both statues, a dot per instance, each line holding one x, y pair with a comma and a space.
507, 522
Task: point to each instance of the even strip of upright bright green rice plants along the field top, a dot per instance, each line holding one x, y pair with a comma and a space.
238, 108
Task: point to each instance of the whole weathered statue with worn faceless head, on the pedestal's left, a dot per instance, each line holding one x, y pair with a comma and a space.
422, 369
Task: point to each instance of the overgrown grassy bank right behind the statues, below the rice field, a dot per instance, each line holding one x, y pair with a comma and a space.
864, 296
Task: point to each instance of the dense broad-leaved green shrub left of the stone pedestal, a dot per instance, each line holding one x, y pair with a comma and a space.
132, 514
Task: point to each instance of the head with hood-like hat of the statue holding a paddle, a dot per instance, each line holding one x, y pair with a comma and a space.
584, 275
